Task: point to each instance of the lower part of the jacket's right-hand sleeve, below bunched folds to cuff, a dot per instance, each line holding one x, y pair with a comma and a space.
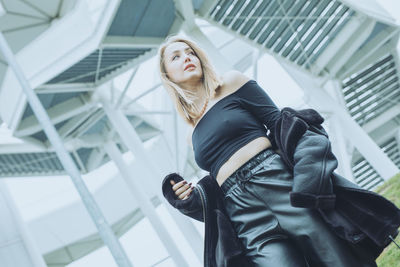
314, 164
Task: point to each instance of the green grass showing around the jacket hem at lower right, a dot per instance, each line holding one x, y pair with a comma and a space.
390, 257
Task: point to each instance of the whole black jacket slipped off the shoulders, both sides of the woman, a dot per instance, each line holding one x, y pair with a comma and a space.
359, 216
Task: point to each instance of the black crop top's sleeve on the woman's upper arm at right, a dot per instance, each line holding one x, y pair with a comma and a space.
259, 104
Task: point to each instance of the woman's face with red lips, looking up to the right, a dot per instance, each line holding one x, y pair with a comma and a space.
181, 64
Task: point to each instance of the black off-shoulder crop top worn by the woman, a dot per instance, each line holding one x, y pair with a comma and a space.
231, 123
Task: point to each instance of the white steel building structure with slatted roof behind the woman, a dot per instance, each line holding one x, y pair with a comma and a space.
80, 101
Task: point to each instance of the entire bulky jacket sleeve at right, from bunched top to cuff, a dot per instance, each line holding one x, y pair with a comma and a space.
307, 149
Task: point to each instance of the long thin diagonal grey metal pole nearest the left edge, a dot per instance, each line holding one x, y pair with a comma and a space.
105, 230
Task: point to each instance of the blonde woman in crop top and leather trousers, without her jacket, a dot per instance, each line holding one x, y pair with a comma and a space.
228, 114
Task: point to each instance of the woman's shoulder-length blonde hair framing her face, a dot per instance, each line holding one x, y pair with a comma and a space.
182, 98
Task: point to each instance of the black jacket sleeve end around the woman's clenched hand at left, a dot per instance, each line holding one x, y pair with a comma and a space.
191, 206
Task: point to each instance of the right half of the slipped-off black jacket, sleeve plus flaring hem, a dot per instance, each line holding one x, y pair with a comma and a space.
357, 215
